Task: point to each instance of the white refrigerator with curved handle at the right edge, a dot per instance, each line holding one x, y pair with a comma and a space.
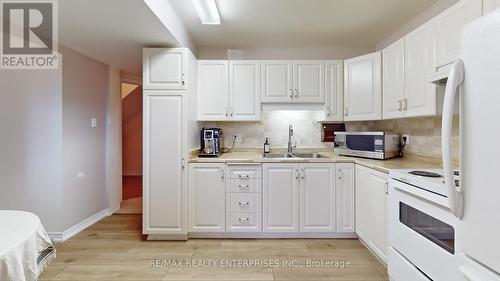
476, 80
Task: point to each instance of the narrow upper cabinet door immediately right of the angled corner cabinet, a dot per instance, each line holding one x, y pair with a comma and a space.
393, 75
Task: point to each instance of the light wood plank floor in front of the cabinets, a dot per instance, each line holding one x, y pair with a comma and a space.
114, 249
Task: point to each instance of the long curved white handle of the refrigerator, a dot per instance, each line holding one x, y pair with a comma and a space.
455, 80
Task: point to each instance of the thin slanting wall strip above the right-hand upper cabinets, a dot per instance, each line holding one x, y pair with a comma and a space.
423, 17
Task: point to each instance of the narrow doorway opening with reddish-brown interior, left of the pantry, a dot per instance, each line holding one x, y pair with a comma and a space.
131, 149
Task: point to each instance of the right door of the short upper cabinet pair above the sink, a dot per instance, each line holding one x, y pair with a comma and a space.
308, 81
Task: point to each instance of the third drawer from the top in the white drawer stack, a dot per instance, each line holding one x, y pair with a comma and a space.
243, 202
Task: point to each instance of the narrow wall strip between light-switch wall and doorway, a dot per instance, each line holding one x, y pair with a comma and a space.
114, 138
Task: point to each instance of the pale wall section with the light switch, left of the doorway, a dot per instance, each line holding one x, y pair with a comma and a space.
84, 97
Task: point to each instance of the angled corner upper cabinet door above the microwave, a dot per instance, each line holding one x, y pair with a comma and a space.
362, 88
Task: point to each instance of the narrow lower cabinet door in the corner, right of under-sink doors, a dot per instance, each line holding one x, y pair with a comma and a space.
345, 198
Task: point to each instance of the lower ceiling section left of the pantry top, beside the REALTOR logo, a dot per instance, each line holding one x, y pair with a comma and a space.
112, 31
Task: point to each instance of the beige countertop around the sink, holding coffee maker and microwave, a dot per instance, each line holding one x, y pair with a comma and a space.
256, 156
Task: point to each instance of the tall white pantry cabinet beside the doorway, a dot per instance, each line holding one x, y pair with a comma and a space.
169, 132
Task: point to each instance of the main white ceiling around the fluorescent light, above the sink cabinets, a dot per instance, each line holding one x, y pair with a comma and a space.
252, 23
